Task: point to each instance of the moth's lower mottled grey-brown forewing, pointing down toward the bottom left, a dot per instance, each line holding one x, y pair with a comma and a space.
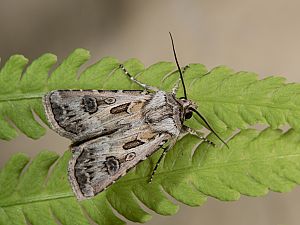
98, 163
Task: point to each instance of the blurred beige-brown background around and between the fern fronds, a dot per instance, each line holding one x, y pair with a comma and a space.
261, 36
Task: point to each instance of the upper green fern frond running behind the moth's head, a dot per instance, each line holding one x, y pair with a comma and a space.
227, 99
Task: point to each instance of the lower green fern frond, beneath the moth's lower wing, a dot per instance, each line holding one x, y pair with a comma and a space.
256, 162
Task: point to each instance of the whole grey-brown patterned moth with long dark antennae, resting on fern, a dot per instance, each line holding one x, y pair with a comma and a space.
113, 130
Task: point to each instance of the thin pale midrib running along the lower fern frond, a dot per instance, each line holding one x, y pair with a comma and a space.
189, 169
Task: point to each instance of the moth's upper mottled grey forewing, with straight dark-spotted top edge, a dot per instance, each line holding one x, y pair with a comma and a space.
82, 115
